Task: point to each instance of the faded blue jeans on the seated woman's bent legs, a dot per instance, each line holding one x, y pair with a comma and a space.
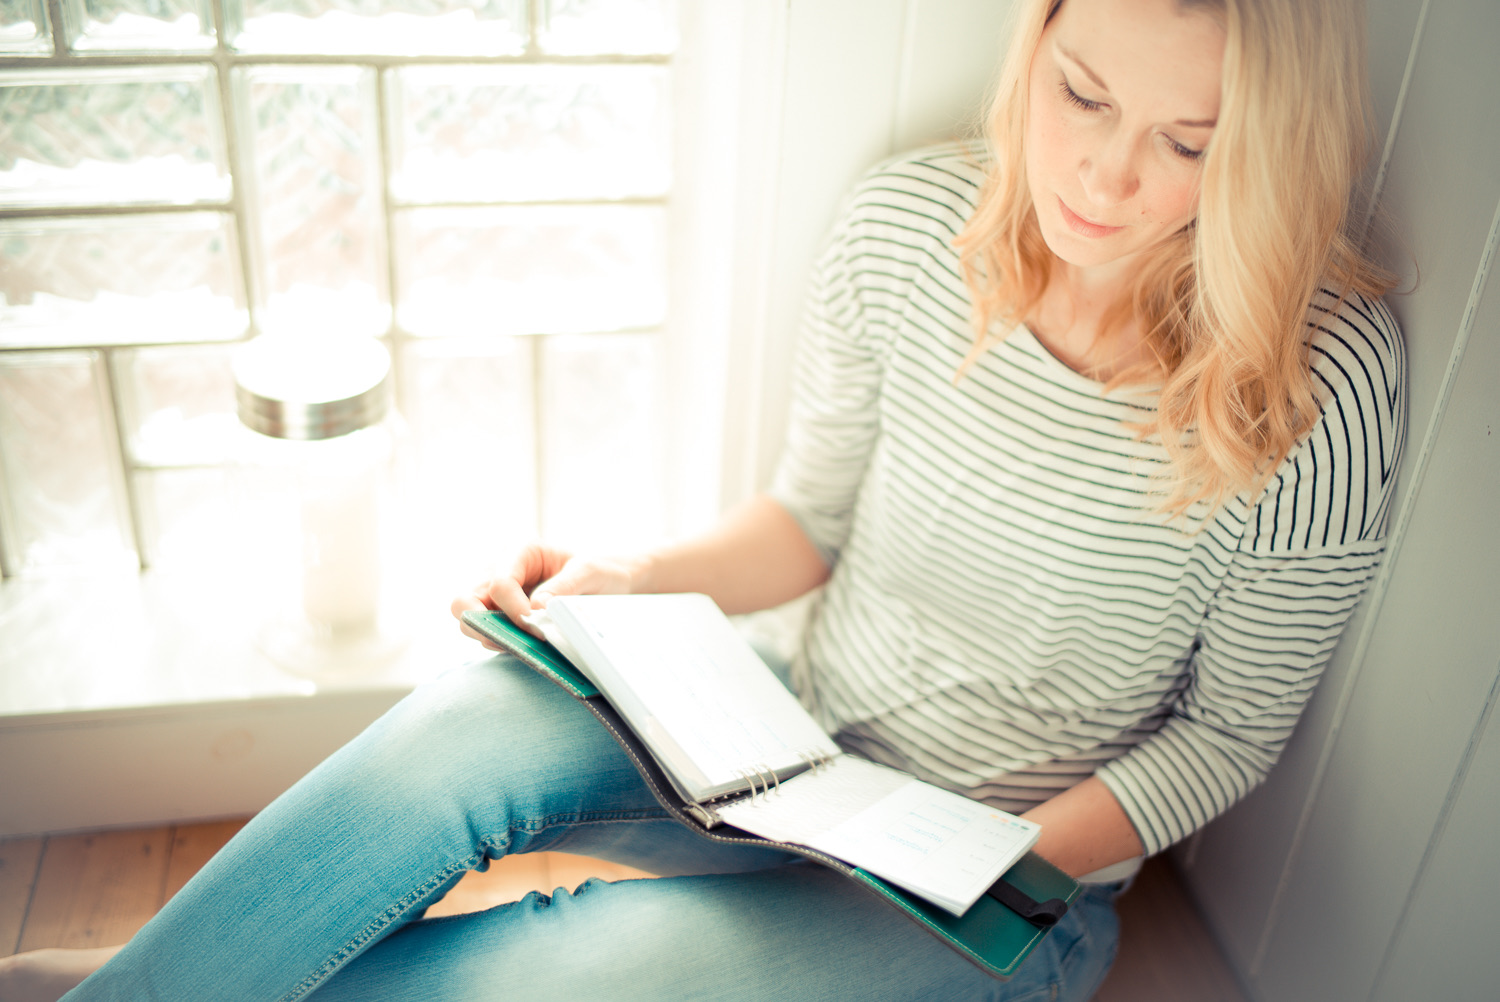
322, 895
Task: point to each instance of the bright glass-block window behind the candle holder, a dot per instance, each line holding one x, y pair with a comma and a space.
481, 184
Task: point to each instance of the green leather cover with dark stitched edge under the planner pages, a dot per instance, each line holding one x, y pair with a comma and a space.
991, 935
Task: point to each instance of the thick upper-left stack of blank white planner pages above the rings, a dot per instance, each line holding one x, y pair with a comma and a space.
691, 686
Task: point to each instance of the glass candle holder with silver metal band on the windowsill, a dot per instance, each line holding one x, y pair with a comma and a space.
328, 403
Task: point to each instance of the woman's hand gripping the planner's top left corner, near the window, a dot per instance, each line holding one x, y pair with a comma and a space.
541, 572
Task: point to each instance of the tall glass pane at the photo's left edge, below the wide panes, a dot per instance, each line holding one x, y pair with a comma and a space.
62, 496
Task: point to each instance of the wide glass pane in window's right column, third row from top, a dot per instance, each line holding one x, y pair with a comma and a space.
524, 271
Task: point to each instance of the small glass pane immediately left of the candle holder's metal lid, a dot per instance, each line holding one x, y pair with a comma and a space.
179, 404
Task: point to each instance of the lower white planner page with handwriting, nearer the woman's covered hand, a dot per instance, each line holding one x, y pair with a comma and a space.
935, 844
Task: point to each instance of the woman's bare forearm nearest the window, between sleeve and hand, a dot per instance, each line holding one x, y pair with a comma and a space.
755, 559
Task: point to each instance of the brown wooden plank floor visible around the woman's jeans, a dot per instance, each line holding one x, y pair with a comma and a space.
97, 890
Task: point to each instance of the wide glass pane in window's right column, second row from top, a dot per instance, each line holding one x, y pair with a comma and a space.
529, 133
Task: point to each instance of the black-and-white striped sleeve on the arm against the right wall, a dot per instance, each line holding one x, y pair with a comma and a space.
1310, 548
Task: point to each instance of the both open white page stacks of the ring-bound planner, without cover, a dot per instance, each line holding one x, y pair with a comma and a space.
742, 748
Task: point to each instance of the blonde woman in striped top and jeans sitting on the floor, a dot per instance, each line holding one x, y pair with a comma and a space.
1091, 493
